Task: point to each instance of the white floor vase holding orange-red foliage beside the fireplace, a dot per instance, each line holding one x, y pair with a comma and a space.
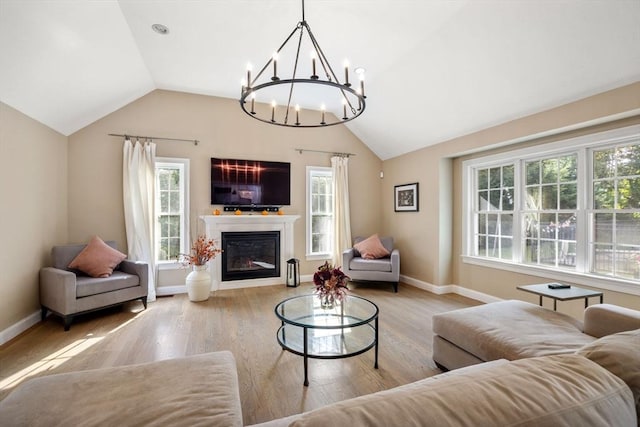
199, 280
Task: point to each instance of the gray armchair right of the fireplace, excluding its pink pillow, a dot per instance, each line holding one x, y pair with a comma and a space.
379, 270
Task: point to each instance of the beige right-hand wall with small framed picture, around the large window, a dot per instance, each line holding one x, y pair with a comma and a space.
430, 240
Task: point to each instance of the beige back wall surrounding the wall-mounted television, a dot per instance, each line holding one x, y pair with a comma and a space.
95, 161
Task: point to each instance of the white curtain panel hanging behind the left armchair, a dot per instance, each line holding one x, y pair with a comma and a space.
138, 182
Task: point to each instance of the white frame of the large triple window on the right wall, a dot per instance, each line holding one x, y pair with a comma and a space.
581, 145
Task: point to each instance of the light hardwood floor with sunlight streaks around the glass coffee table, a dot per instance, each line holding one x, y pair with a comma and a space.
242, 321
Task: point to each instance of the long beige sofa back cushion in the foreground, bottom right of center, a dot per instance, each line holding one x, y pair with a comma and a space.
564, 390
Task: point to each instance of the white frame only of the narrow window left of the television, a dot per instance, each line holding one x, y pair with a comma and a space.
182, 165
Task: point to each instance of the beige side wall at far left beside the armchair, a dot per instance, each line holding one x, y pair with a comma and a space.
33, 209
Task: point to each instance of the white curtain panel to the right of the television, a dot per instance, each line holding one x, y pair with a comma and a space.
341, 211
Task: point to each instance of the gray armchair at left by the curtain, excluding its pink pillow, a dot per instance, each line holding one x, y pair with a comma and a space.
68, 293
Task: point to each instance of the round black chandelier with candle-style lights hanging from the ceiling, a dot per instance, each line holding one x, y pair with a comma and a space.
250, 89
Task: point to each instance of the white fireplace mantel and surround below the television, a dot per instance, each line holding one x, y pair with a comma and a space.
215, 225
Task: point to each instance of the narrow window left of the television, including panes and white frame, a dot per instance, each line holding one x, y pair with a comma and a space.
172, 177
